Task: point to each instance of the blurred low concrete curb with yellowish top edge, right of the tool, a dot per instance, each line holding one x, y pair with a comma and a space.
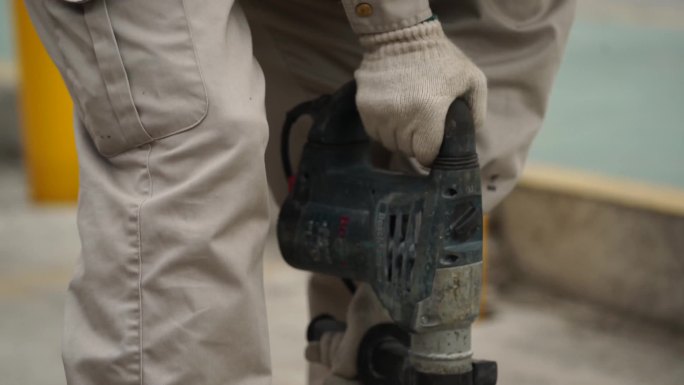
622, 250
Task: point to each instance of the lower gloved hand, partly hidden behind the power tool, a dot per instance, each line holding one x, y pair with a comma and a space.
338, 350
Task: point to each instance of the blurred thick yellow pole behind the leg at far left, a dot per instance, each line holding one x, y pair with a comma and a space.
45, 118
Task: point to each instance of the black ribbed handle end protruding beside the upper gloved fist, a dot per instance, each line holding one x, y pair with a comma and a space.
458, 146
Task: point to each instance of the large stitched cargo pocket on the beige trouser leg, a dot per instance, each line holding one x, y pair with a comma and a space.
132, 70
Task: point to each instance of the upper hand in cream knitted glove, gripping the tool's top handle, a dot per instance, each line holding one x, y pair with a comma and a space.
406, 82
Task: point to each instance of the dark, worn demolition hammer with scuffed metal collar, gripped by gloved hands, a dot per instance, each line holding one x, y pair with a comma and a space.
415, 239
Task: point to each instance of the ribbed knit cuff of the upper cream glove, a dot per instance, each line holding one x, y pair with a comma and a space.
412, 39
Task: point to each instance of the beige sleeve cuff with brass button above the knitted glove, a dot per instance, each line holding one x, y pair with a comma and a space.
377, 16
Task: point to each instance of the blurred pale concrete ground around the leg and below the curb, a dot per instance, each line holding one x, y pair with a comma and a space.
536, 338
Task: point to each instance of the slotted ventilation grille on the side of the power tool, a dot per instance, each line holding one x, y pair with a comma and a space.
403, 229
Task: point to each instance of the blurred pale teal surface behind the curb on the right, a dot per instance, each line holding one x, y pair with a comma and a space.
618, 104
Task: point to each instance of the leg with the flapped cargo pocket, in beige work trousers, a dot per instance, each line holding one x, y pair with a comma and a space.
168, 289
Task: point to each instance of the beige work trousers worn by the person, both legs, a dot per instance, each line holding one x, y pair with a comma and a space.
171, 134
